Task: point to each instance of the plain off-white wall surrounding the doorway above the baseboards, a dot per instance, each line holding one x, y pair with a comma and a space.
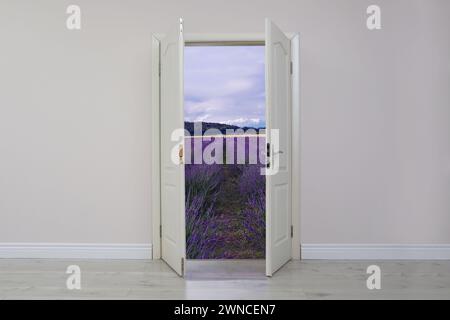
75, 116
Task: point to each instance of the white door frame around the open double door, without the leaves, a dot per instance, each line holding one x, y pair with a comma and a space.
225, 39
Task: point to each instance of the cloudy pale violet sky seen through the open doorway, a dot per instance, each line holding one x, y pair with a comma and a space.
225, 84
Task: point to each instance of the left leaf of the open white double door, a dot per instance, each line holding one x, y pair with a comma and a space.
172, 173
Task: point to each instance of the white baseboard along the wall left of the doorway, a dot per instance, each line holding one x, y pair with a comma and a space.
75, 251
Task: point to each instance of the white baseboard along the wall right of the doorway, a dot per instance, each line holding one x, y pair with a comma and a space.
375, 252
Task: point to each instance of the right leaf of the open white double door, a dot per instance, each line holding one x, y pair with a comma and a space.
278, 186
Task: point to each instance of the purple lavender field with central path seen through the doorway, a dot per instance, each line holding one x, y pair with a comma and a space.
225, 203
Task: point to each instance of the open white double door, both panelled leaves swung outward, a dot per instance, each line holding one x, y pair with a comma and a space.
278, 120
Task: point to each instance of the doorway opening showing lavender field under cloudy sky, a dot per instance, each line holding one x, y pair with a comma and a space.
225, 149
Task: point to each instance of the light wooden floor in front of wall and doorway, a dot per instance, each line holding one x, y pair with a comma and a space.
126, 279
